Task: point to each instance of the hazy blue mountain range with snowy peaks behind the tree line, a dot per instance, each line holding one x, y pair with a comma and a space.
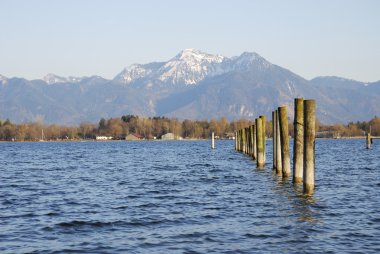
192, 84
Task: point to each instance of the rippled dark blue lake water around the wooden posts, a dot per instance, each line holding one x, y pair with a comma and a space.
181, 197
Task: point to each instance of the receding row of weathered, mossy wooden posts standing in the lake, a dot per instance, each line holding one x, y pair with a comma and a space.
251, 141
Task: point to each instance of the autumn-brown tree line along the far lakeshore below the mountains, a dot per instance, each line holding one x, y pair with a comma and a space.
119, 128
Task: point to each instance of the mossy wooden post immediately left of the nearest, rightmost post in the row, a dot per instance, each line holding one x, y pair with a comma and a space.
298, 141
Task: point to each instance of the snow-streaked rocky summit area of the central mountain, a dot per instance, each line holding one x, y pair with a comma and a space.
191, 66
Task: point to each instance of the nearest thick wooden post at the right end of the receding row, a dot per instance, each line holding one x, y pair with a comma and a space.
309, 146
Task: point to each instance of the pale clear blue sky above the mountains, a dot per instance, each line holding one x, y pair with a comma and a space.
93, 37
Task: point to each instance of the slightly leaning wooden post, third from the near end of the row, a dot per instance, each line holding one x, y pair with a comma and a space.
284, 133
